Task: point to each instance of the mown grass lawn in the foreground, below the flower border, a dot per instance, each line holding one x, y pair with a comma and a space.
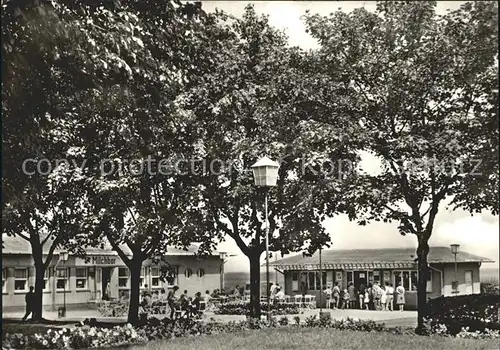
314, 338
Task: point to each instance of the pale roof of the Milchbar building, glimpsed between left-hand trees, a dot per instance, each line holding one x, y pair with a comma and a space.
17, 245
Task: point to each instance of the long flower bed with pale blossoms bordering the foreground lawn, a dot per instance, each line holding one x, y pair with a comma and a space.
87, 336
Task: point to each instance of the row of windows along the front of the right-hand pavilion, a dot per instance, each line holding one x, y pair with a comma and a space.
408, 277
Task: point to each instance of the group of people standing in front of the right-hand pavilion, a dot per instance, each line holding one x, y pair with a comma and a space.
370, 297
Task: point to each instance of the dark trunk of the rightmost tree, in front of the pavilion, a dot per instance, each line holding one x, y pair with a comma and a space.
422, 252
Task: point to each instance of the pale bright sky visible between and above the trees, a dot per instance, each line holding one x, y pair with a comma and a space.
478, 234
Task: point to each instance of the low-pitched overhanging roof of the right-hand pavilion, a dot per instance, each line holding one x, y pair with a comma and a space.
392, 257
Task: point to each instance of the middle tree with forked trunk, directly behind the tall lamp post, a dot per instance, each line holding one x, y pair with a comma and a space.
244, 105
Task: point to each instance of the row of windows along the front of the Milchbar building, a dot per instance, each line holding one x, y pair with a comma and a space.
81, 273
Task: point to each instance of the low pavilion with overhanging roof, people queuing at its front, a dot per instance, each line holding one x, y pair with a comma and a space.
381, 265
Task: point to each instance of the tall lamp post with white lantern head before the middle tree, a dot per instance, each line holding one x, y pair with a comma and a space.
265, 173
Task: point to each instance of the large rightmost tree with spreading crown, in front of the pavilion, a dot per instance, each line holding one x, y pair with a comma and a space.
423, 90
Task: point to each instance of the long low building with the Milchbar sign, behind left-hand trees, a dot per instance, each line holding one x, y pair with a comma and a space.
102, 273
